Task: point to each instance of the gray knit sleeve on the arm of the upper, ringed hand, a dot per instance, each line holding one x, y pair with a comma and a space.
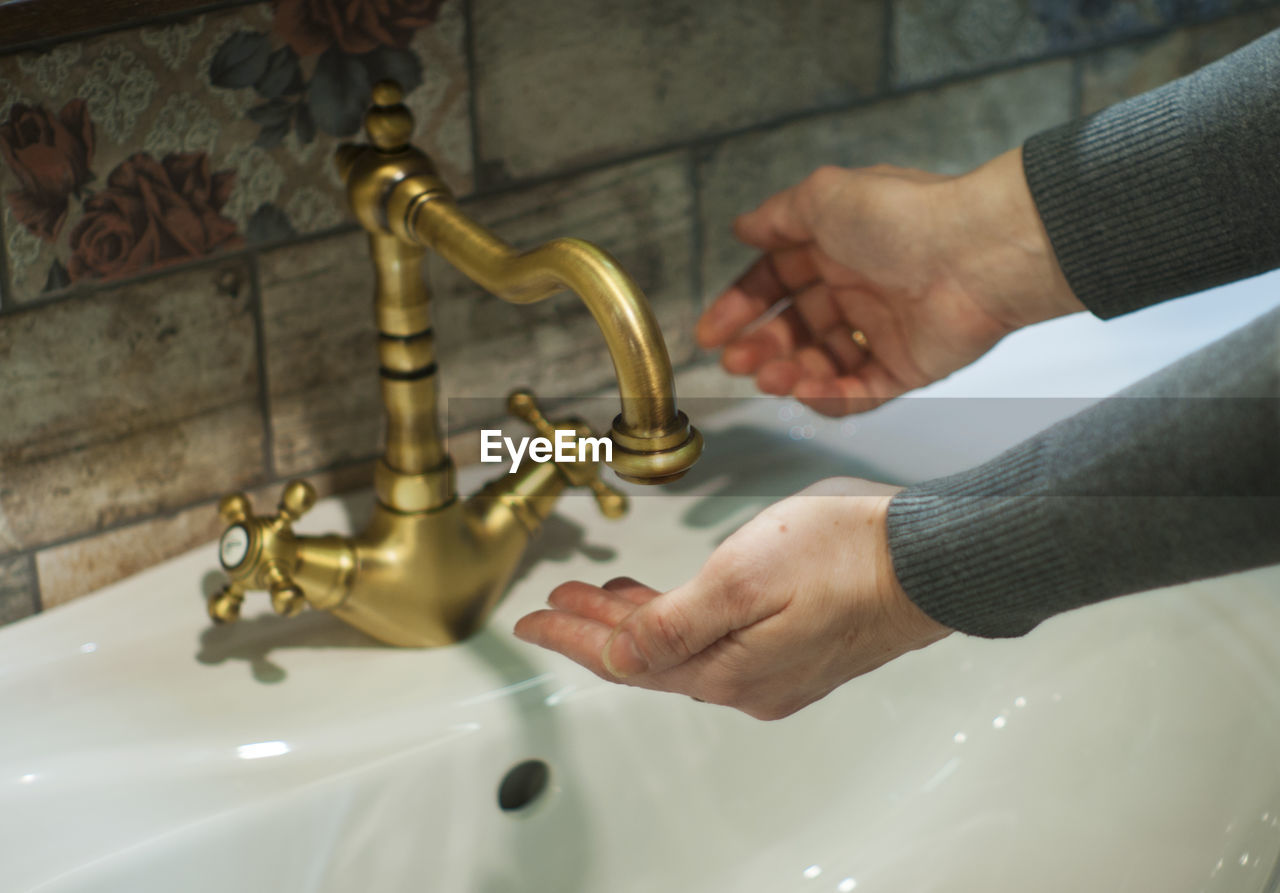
1171, 193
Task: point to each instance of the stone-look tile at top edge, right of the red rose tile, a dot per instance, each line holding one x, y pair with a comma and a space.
566, 83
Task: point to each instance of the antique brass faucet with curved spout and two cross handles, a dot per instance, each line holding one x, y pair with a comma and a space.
429, 567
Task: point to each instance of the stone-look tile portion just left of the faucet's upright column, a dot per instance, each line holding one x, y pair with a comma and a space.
322, 352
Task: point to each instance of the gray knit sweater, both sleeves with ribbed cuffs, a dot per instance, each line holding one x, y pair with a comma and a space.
1177, 478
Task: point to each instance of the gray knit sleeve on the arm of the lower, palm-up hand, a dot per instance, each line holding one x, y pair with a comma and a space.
1172, 480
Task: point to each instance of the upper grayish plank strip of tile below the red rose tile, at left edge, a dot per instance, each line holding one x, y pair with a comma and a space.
125, 360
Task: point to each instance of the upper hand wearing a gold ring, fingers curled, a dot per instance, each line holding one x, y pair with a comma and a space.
930, 272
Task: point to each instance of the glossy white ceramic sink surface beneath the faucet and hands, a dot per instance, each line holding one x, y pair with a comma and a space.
1126, 748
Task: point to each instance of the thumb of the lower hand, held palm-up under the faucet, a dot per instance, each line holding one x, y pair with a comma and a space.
673, 629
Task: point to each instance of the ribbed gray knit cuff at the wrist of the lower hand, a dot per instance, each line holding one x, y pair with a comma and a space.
979, 552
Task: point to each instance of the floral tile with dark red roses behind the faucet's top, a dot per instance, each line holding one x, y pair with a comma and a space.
158, 145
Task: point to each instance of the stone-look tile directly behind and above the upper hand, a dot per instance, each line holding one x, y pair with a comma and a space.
949, 131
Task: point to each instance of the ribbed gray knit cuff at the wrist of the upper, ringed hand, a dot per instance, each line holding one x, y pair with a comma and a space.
1126, 203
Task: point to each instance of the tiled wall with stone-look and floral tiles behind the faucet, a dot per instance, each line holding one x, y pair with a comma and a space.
185, 309
